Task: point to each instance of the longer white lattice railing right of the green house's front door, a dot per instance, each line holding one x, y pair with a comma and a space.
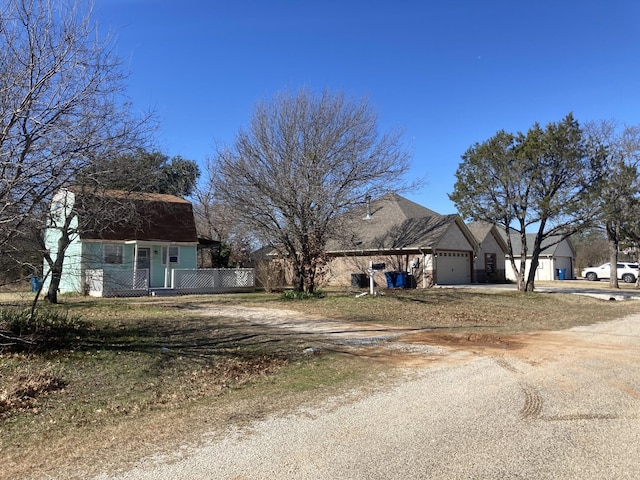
213, 280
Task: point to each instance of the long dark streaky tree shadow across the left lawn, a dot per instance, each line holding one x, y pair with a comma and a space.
194, 337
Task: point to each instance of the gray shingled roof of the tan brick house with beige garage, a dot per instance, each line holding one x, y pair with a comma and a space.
392, 223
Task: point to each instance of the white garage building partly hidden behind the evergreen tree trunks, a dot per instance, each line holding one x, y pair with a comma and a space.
556, 260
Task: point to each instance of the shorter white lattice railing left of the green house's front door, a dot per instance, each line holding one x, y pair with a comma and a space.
116, 283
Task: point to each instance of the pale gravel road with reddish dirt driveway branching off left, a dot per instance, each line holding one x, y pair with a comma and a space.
561, 405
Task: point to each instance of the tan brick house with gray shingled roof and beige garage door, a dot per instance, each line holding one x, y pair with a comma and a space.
407, 238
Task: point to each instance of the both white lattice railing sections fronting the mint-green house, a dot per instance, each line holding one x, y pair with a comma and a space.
115, 283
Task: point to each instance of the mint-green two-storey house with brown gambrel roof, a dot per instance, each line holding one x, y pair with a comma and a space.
127, 244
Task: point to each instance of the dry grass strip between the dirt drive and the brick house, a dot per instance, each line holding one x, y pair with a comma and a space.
468, 310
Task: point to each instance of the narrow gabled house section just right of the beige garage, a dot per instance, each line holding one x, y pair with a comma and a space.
491, 254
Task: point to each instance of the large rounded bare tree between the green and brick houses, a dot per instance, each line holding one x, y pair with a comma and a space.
303, 161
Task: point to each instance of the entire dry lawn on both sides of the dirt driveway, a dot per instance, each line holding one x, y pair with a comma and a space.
130, 374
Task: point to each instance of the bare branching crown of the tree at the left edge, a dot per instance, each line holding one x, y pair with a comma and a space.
62, 106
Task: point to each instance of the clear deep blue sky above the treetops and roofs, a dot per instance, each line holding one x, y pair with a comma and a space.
449, 73
